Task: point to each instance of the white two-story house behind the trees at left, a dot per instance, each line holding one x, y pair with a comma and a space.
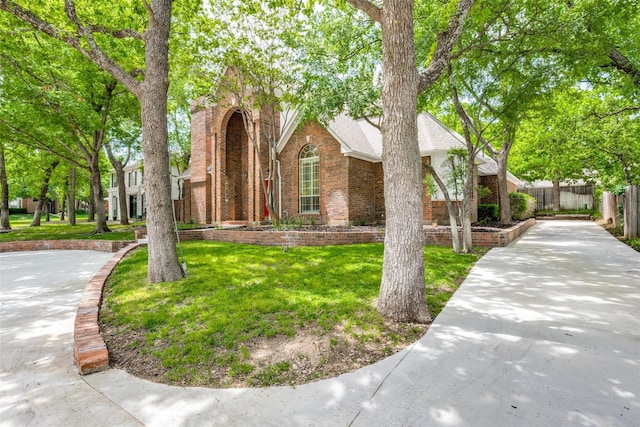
134, 183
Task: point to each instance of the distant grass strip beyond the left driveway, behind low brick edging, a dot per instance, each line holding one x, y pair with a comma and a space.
61, 230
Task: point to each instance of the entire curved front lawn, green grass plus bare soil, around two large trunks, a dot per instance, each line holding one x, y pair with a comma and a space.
258, 316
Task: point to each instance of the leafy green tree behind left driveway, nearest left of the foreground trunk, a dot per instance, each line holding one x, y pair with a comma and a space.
71, 107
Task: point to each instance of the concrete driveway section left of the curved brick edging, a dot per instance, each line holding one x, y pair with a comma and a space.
39, 386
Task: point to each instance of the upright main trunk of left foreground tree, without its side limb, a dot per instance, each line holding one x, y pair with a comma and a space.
163, 260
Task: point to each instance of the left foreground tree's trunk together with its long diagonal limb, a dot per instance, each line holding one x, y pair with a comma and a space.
152, 94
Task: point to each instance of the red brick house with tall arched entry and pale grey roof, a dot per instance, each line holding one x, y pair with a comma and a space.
331, 175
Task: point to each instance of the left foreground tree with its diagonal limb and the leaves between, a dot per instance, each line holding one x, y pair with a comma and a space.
94, 31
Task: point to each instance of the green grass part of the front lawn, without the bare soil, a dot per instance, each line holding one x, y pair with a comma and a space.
237, 293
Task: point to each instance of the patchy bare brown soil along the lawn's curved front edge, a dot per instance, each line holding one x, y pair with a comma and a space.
310, 355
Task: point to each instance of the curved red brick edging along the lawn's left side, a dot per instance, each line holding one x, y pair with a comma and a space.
89, 350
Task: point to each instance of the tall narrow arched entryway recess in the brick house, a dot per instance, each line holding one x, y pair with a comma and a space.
235, 206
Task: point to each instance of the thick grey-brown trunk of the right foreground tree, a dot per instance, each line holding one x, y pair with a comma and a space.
402, 291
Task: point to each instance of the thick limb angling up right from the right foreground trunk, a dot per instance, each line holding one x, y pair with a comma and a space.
445, 42
